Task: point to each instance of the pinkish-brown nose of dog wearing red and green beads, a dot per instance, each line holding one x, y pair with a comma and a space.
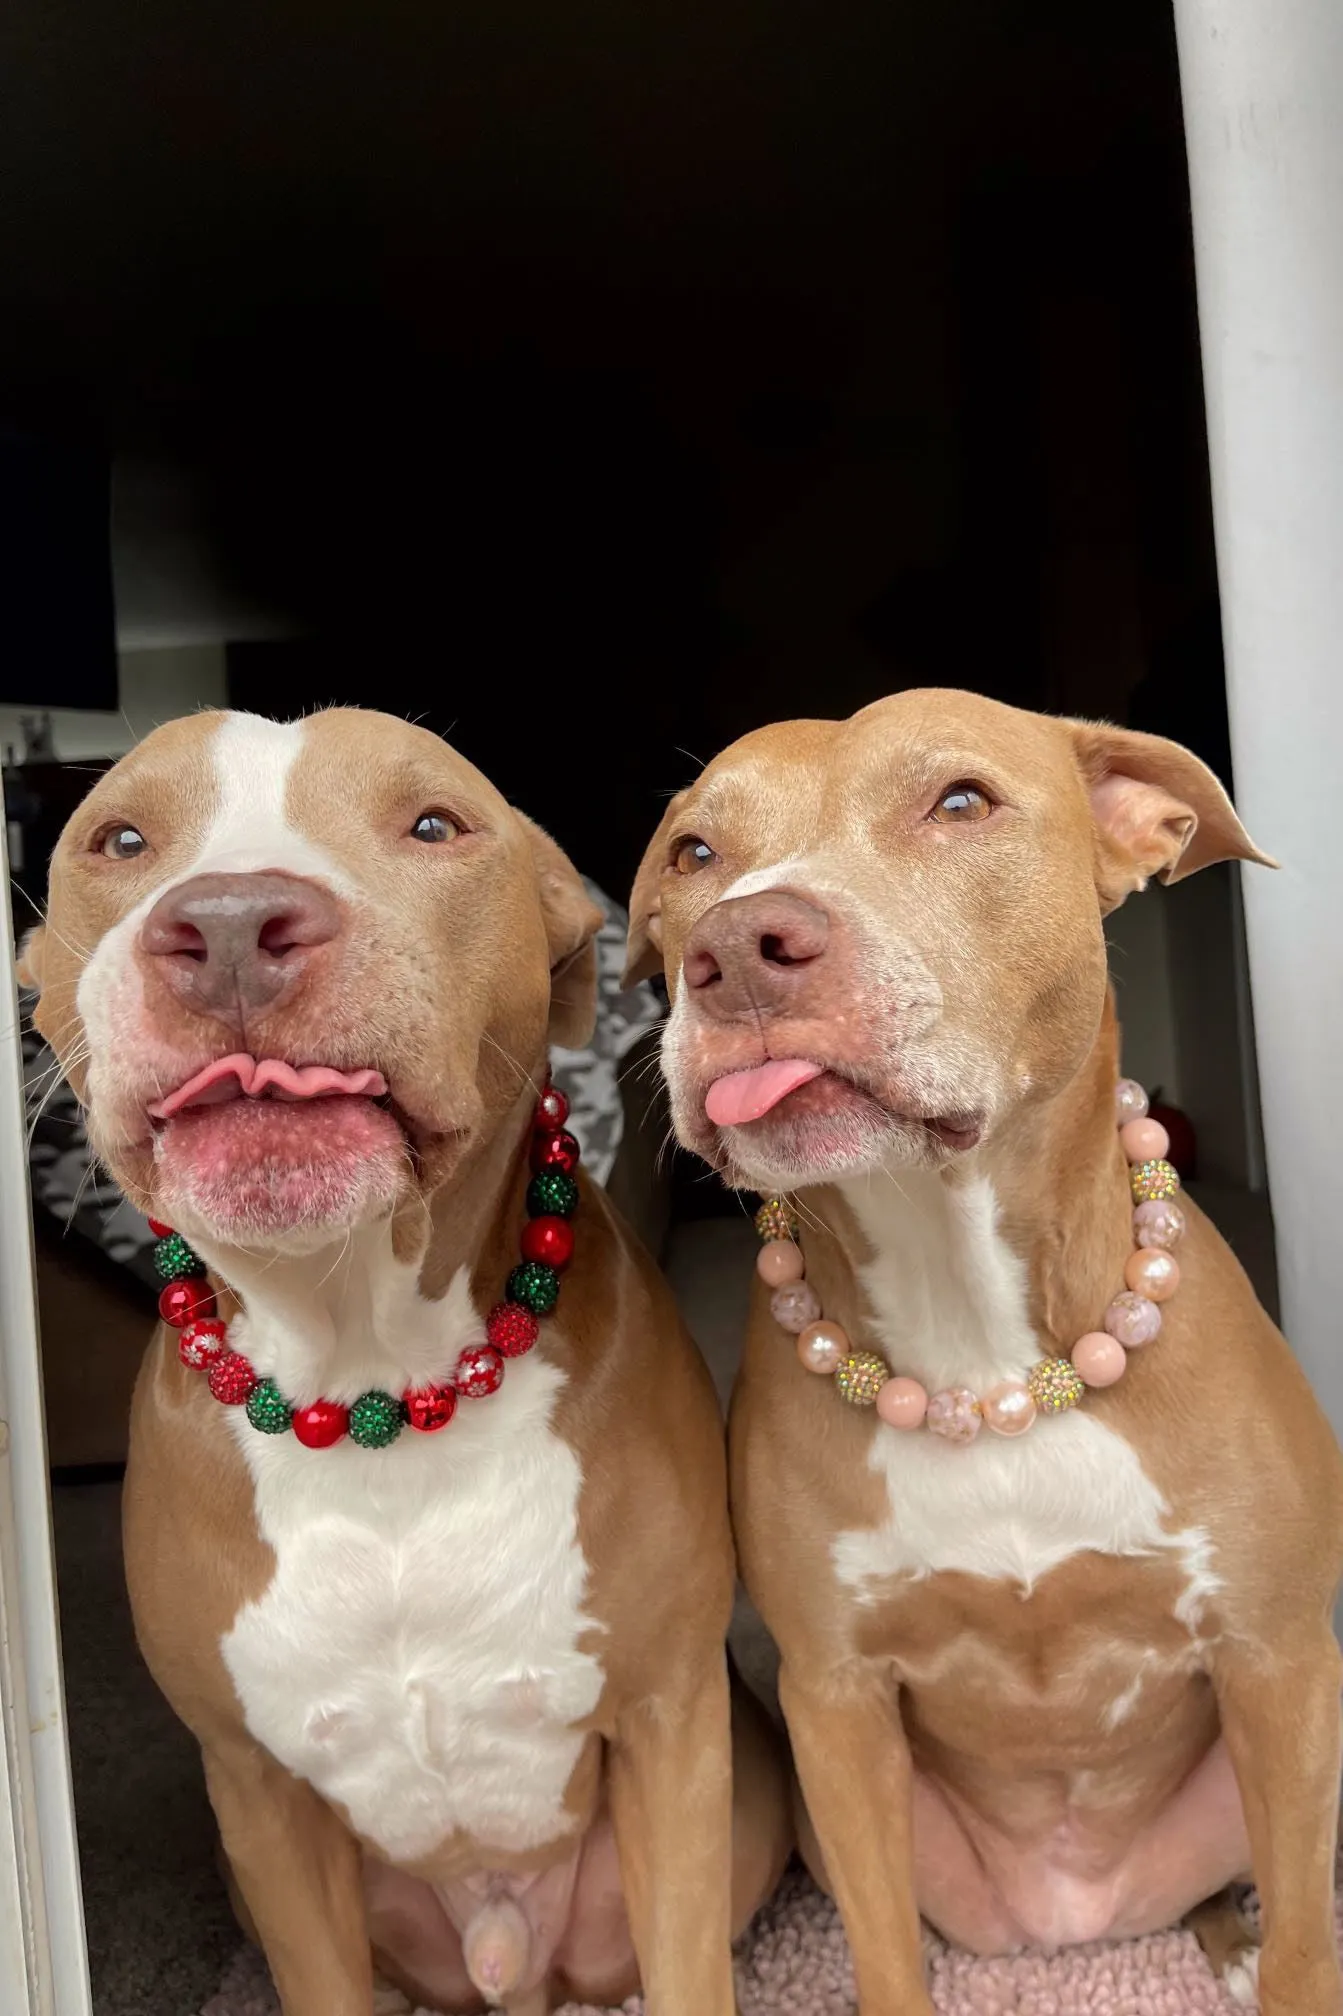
233, 944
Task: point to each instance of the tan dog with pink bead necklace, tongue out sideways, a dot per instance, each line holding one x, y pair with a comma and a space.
1072, 1684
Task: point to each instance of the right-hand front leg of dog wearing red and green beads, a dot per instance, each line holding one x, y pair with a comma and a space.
673, 1811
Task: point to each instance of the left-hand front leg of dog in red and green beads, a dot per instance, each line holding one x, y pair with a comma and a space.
299, 1878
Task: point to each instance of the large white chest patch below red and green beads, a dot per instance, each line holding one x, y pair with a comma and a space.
418, 1656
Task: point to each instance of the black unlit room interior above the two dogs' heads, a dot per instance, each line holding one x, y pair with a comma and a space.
598, 382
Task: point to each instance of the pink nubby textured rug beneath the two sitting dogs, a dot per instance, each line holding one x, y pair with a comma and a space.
796, 1963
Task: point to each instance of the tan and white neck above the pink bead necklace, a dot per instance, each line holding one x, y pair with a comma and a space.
973, 1273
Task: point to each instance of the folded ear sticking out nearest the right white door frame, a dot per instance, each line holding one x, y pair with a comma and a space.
1156, 809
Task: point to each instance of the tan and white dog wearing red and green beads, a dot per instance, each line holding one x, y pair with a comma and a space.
463, 1700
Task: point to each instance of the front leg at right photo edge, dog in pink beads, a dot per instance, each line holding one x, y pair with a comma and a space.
1281, 1721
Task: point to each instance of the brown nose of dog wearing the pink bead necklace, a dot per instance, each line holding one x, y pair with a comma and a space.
755, 955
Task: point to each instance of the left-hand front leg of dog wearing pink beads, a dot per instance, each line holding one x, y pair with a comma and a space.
854, 1765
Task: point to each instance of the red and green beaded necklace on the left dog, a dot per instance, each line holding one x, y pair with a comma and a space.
376, 1420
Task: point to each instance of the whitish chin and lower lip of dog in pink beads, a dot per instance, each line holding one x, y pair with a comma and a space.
832, 1130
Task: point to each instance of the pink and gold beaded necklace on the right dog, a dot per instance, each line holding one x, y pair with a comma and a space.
1054, 1386
